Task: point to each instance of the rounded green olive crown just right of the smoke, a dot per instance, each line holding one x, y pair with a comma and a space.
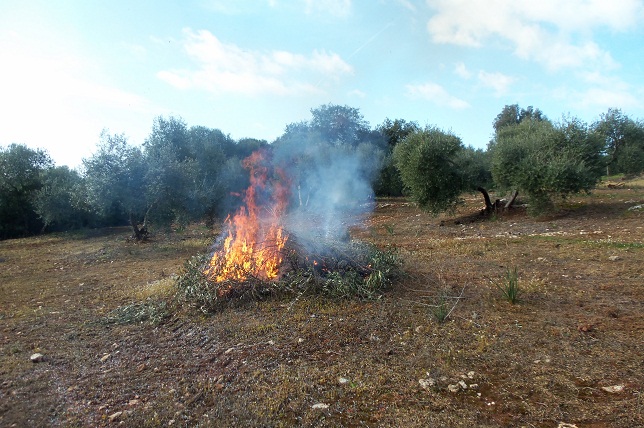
427, 161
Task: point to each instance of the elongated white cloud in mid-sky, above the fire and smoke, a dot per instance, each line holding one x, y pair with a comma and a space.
225, 67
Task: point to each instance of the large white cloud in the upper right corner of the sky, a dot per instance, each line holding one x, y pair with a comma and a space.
554, 33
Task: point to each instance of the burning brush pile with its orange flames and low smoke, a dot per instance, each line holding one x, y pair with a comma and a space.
269, 249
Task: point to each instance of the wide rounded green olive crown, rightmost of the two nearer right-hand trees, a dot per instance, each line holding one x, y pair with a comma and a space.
545, 160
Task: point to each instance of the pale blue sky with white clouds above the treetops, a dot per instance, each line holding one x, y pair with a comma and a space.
250, 67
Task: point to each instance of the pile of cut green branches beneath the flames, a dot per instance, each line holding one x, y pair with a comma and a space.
339, 269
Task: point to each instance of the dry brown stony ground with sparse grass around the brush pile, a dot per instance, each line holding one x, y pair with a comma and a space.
116, 351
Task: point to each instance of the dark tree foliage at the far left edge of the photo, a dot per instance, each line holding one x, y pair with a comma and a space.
21, 170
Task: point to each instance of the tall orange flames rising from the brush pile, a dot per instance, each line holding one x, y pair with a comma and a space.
255, 238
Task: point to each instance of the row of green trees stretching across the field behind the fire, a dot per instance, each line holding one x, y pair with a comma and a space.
182, 174
